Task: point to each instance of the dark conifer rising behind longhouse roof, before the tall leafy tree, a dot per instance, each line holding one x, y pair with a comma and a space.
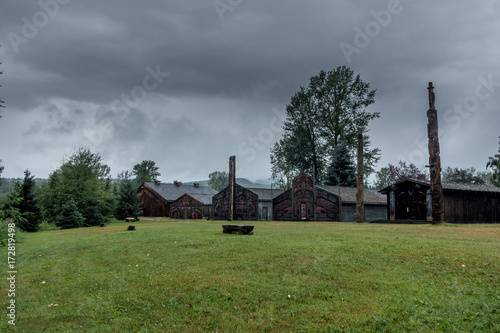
342, 171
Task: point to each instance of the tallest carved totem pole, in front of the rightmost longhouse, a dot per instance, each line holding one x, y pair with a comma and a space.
434, 160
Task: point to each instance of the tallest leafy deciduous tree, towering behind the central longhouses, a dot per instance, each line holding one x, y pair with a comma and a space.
319, 118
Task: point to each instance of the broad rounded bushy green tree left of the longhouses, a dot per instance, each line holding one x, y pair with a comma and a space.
84, 179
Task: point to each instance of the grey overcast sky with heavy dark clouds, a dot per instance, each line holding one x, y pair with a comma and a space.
189, 83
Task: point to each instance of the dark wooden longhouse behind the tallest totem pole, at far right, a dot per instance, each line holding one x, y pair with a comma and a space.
463, 203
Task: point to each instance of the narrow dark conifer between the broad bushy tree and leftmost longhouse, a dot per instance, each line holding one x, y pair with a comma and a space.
127, 203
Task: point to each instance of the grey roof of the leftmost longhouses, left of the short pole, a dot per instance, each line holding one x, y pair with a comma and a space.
171, 192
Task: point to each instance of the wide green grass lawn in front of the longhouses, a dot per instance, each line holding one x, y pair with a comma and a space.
187, 276
